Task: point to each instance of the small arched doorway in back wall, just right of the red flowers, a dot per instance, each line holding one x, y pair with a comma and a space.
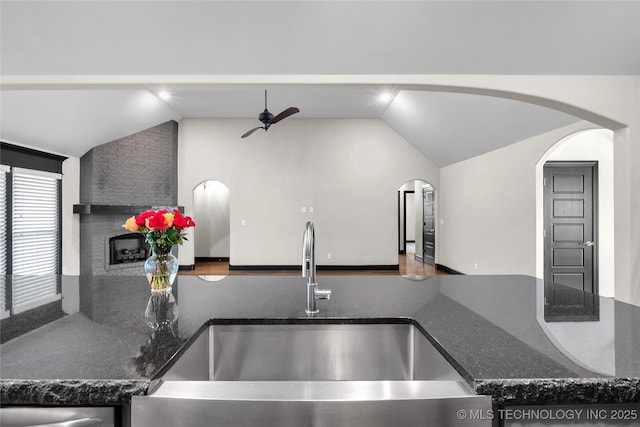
212, 212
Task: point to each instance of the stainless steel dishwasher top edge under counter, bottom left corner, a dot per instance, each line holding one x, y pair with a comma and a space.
57, 416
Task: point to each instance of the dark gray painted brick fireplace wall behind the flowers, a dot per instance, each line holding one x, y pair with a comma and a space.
140, 170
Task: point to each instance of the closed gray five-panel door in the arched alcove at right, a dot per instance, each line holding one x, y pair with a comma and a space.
570, 246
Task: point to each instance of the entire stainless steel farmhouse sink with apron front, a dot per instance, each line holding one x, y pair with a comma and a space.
309, 373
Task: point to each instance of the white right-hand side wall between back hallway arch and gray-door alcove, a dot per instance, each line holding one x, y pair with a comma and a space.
488, 208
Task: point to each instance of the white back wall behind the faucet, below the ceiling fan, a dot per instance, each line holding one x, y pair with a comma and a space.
347, 170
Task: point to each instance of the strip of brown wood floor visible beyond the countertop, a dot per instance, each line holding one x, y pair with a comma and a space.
407, 263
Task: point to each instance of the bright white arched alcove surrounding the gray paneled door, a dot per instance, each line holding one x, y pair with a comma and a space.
590, 147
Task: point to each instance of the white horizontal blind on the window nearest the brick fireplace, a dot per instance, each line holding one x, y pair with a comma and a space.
35, 237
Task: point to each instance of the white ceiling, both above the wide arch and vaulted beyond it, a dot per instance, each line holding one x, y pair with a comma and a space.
106, 40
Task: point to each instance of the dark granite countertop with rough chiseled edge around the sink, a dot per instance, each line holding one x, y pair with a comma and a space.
510, 337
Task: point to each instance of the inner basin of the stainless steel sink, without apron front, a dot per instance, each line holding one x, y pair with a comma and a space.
311, 352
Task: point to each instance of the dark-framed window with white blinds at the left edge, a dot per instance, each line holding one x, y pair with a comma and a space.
30, 229
